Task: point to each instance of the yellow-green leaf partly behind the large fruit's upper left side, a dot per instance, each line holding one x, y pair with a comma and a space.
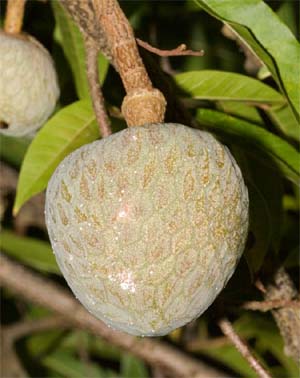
67, 130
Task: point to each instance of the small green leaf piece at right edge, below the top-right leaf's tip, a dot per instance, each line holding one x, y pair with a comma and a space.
285, 120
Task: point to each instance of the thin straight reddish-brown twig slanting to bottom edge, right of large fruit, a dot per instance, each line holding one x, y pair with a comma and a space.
243, 348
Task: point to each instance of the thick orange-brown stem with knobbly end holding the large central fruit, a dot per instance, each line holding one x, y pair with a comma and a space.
143, 103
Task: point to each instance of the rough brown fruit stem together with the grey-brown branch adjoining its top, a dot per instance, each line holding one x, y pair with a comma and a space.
104, 22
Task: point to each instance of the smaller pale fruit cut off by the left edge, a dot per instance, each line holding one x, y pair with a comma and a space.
28, 82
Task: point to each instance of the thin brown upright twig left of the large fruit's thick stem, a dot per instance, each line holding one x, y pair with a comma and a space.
95, 89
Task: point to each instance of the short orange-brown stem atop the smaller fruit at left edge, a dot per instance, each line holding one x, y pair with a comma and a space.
14, 16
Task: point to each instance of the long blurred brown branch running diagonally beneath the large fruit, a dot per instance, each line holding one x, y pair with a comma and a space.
45, 293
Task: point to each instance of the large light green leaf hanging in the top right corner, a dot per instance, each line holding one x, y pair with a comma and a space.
268, 37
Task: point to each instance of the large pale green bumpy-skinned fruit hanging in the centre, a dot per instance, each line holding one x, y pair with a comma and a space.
148, 225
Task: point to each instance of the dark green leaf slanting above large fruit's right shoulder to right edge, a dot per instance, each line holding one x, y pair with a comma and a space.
256, 140
